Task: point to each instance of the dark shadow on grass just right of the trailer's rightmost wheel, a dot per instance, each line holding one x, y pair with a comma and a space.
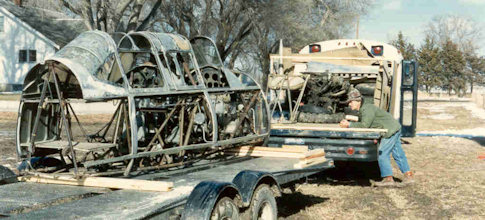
290, 204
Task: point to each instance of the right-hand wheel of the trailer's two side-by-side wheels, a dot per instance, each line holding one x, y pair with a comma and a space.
263, 204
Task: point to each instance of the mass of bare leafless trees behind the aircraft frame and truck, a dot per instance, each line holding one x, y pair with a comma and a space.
246, 29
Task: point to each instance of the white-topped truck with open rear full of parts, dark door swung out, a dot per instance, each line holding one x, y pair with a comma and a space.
307, 92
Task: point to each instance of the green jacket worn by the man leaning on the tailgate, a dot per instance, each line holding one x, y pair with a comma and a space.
370, 116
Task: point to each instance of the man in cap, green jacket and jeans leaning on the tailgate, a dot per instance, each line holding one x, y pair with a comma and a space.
373, 117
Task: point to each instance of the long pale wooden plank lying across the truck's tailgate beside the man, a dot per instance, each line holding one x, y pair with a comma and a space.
319, 127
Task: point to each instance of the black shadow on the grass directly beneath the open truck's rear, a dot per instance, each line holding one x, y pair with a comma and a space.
348, 174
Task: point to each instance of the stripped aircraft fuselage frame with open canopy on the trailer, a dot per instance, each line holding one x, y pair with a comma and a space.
176, 103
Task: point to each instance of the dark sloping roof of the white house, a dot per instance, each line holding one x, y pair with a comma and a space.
56, 26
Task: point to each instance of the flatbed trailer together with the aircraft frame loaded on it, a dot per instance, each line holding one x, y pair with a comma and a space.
184, 125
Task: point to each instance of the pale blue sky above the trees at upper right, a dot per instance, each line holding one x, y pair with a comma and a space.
388, 17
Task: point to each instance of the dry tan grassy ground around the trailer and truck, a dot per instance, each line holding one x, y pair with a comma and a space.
450, 177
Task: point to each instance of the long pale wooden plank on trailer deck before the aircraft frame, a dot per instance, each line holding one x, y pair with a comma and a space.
103, 182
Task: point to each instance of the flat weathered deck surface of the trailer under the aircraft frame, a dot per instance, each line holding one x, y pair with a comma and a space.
42, 201
